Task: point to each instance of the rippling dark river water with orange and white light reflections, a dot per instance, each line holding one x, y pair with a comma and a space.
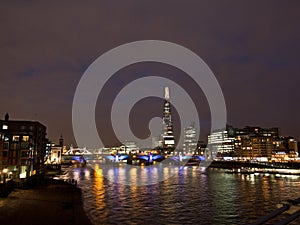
192, 196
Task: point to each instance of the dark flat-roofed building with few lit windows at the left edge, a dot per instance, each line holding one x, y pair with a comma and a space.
24, 146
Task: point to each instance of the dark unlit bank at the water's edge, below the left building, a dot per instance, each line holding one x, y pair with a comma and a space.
54, 202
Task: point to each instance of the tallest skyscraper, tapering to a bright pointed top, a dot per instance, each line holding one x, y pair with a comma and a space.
168, 140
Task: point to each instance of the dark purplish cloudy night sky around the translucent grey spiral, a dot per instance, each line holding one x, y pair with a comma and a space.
252, 47
